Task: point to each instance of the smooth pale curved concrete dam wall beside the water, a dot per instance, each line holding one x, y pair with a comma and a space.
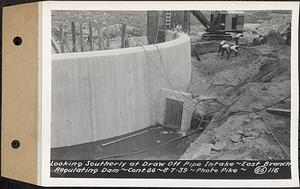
102, 94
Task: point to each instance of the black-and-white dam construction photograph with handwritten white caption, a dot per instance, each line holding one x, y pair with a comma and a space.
171, 93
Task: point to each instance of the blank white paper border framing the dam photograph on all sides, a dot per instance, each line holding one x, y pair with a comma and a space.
44, 178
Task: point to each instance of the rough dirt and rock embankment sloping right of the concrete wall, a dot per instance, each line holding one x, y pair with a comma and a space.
245, 86
